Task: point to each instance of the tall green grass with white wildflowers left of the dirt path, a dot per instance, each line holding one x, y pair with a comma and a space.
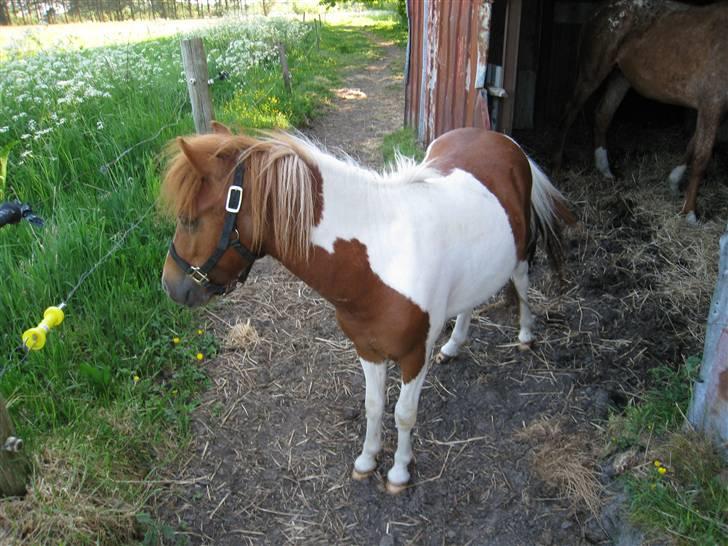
108, 400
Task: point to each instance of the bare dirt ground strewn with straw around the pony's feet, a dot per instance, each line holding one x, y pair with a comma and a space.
509, 446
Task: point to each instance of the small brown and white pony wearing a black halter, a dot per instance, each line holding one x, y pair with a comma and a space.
396, 254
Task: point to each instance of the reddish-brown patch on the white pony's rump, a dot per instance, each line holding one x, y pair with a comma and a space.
493, 159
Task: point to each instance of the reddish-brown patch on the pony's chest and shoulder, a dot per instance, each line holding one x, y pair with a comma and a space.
382, 323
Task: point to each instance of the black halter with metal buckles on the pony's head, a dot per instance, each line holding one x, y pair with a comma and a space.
233, 204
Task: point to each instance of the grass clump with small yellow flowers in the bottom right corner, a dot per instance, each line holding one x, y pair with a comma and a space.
684, 494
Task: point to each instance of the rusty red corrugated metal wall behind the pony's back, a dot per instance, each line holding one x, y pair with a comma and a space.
446, 60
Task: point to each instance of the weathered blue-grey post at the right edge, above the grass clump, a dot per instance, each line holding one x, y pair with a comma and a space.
708, 411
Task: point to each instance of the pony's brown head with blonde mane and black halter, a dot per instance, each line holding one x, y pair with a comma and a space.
234, 198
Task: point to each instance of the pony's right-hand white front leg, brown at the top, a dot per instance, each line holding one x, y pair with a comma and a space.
405, 416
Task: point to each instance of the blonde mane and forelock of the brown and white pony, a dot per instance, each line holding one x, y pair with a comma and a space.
279, 173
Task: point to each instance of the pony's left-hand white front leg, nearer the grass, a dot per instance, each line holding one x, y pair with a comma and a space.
375, 376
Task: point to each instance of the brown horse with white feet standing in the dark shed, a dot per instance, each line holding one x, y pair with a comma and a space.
667, 51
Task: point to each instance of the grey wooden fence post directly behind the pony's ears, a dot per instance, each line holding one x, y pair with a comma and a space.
195, 65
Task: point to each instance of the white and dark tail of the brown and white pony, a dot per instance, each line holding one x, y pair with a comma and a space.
549, 209
